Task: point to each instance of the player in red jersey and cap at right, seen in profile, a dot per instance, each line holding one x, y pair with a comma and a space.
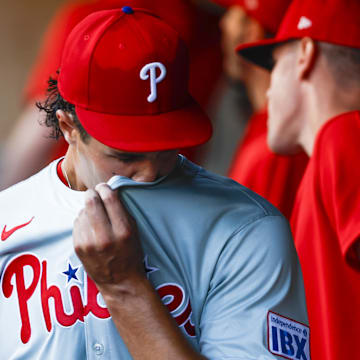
314, 104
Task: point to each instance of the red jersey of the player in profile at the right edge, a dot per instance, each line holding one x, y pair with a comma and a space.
326, 224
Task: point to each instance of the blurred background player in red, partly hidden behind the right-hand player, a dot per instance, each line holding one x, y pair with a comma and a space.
272, 176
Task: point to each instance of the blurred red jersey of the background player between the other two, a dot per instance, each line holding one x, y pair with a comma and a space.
275, 177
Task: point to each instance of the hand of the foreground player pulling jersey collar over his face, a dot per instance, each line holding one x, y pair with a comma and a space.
105, 239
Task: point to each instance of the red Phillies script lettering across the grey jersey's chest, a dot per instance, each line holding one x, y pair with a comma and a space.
25, 291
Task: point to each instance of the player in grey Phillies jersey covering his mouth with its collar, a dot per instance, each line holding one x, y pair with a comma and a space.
166, 261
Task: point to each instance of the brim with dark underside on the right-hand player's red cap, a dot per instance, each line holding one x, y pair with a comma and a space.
260, 52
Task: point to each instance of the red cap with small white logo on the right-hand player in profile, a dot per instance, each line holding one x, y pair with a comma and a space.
332, 21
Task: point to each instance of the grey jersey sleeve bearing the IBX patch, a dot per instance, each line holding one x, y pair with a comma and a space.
258, 272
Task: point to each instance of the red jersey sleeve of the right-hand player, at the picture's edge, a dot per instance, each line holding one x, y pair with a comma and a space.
340, 182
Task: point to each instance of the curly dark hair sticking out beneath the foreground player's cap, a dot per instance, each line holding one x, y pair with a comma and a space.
51, 105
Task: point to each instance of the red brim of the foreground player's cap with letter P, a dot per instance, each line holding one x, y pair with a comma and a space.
185, 127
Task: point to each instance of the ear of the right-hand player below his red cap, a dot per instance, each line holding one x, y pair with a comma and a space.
307, 52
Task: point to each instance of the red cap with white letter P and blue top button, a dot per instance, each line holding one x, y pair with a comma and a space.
126, 72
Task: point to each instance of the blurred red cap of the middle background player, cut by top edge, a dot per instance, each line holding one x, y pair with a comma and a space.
268, 13
